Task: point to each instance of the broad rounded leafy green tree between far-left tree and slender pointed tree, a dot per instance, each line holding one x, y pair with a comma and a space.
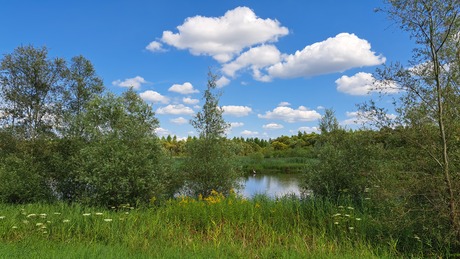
123, 161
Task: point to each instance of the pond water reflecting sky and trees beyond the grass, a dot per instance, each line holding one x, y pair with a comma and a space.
272, 185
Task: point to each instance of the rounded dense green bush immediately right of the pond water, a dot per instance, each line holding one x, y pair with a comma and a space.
346, 162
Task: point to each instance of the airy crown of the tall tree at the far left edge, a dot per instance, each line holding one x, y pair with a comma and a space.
31, 89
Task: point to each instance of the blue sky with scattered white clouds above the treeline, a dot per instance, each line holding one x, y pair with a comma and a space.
281, 62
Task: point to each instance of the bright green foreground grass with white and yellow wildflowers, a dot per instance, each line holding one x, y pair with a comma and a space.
211, 227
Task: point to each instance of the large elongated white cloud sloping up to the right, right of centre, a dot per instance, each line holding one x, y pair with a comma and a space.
337, 54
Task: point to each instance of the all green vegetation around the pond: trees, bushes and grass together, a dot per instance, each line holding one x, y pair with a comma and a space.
67, 143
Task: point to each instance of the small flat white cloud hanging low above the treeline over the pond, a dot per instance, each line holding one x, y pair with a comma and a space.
291, 115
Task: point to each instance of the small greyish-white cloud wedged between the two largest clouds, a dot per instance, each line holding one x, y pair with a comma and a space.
255, 59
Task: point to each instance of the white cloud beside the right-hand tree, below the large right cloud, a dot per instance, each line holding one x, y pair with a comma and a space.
364, 83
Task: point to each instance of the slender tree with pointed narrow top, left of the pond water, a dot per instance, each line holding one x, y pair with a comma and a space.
211, 158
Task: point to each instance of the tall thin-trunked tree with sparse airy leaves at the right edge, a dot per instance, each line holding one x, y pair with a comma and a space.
429, 108
